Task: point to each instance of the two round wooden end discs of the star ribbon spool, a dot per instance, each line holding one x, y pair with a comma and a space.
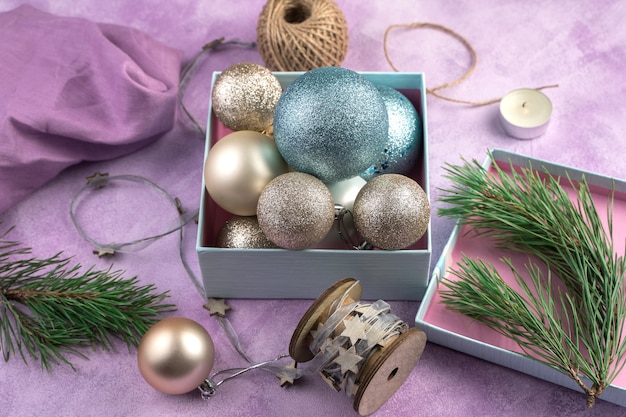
384, 371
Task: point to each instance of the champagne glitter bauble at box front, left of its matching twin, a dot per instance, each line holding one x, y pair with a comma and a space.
296, 210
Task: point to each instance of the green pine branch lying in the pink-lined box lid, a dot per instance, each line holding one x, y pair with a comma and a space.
577, 330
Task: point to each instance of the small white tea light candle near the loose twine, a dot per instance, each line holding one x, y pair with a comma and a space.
525, 113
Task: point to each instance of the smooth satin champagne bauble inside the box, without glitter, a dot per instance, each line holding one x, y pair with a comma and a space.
237, 168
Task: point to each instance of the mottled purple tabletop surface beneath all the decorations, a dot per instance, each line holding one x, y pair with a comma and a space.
579, 45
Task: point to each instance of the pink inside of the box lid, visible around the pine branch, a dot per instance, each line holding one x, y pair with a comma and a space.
481, 248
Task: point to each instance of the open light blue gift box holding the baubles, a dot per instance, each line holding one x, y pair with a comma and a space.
280, 273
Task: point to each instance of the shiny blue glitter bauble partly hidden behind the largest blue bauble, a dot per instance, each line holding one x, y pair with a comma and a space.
404, 139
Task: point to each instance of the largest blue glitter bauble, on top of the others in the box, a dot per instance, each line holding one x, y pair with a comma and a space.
331, 123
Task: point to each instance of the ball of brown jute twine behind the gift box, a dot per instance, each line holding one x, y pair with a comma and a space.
300, 35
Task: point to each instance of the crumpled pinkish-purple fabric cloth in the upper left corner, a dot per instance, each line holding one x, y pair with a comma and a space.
73, 90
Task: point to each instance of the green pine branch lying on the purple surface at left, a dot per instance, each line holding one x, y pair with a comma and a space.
49, 309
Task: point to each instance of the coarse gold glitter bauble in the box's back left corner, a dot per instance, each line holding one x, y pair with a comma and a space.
244, 97
